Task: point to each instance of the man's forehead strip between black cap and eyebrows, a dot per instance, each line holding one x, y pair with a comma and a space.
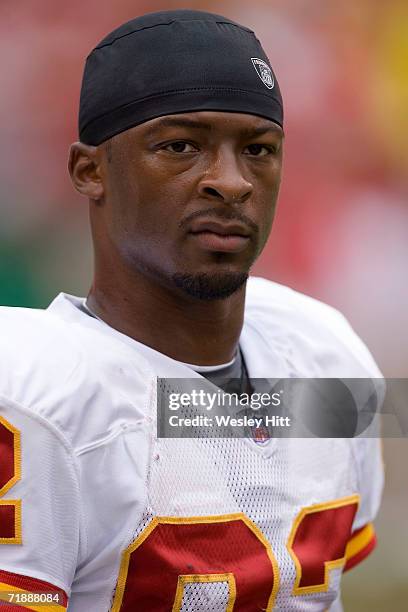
226, 123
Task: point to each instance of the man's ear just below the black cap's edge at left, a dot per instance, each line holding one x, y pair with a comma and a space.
84, 167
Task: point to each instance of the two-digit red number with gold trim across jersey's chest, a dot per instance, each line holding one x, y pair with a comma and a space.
173, 552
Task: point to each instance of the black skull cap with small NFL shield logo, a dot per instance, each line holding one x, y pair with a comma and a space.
174, 62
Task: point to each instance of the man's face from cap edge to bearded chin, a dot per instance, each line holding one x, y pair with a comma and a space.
190, 198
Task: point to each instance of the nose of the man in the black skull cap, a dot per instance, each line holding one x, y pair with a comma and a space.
224, 181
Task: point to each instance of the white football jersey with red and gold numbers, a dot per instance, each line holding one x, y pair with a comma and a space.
98, 510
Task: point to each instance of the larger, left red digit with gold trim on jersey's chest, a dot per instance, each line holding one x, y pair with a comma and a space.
172, 552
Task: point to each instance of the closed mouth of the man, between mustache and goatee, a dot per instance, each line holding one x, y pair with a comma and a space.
222, 237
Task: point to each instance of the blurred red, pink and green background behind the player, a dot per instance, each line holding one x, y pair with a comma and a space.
341, 232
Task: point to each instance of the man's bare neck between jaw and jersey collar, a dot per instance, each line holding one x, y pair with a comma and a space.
184, 328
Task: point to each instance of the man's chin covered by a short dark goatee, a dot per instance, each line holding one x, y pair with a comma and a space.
206, 286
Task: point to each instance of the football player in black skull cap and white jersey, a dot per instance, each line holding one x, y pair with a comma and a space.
180, 155
